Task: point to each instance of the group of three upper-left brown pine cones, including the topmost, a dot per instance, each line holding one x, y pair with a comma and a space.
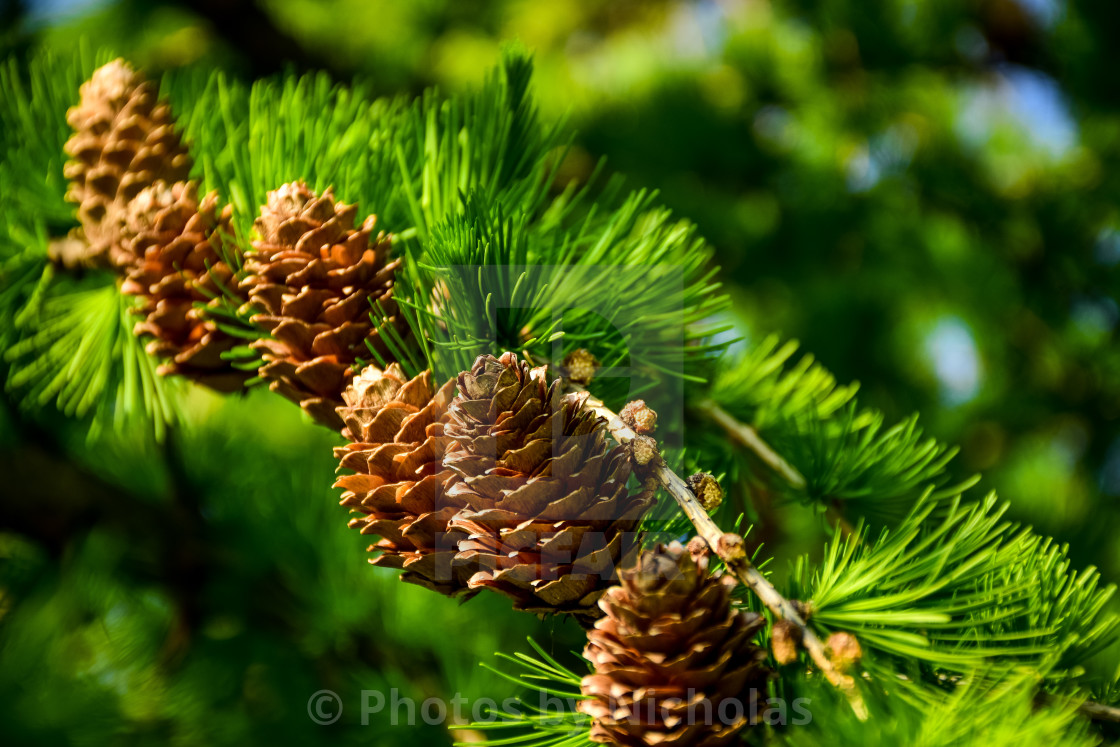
310, 282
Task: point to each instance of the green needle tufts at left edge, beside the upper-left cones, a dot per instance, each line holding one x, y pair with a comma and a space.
68, 341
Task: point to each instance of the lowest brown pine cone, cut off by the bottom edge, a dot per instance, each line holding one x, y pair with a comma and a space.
669, 653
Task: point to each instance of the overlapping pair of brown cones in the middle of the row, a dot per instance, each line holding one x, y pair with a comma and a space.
510, 485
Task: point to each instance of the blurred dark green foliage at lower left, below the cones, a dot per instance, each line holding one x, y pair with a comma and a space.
212, 603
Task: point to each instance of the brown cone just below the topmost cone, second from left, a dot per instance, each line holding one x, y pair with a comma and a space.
175, 268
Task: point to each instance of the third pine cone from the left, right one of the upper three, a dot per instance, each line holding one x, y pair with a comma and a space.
312, 278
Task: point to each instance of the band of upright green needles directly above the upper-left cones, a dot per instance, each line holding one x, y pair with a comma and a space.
407, 162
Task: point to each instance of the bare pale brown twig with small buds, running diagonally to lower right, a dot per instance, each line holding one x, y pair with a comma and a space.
730, 548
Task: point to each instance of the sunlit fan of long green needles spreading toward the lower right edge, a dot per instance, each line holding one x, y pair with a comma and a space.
957, 595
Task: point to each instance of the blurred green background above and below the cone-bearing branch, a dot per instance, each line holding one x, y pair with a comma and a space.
925, 192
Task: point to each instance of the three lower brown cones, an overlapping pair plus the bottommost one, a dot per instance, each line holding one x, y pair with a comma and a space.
512, 485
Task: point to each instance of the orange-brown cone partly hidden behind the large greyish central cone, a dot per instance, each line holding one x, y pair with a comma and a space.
397, 432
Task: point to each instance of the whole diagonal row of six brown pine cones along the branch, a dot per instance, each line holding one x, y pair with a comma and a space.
498, 480
